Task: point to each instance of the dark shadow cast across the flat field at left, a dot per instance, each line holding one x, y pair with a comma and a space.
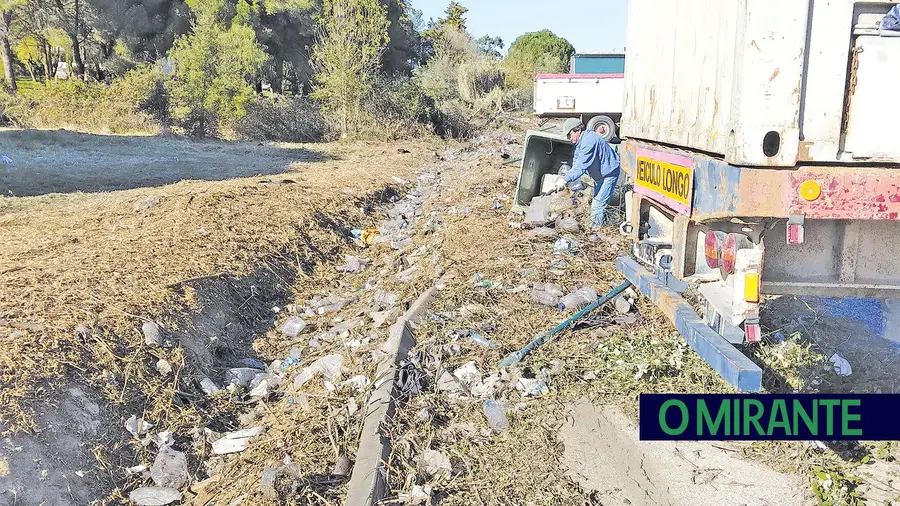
65, 162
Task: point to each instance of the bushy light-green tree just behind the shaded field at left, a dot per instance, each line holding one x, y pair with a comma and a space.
212, 66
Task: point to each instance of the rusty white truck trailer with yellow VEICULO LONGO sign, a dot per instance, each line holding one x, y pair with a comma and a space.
760, 141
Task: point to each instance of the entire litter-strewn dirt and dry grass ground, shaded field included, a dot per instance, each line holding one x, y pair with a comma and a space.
227, 242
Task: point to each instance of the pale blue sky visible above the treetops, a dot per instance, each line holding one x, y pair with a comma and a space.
590, 25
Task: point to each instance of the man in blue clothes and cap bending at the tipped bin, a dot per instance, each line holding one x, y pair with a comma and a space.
593, 156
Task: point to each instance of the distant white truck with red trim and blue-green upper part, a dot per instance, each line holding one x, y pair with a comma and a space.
592, 91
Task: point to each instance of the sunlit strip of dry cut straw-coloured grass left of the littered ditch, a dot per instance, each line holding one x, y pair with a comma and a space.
109, 261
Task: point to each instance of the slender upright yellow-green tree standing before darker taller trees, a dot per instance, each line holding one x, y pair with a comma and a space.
352, 39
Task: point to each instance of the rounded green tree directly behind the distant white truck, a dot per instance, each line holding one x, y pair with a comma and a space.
534, 53
